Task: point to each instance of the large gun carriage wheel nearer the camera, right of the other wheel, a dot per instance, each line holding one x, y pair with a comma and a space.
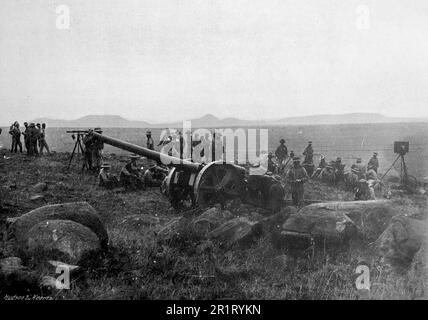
218, 182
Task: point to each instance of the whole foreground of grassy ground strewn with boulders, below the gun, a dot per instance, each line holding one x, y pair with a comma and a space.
154, 252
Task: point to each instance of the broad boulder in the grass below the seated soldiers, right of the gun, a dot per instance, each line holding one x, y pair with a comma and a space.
316, 224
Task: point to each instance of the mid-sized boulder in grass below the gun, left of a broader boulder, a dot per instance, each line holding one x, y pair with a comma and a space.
237, 231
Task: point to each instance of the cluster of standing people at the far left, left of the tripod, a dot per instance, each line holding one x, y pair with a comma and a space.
34, 138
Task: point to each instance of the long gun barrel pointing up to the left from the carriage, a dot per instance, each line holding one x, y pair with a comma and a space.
151, 154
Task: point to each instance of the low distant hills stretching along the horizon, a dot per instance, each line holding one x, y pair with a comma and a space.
210, 121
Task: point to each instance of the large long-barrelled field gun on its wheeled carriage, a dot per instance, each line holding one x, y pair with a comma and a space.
204, 185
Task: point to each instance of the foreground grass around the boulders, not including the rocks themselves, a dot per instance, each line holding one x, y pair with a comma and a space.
138, 266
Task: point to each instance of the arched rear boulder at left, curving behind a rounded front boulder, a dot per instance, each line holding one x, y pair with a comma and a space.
80, 212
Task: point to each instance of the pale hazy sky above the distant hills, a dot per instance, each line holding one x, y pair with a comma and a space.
169, 60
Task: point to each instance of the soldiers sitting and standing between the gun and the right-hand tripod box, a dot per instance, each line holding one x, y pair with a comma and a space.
361, 179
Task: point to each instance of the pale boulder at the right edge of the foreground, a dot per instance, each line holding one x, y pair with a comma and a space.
399, 243
